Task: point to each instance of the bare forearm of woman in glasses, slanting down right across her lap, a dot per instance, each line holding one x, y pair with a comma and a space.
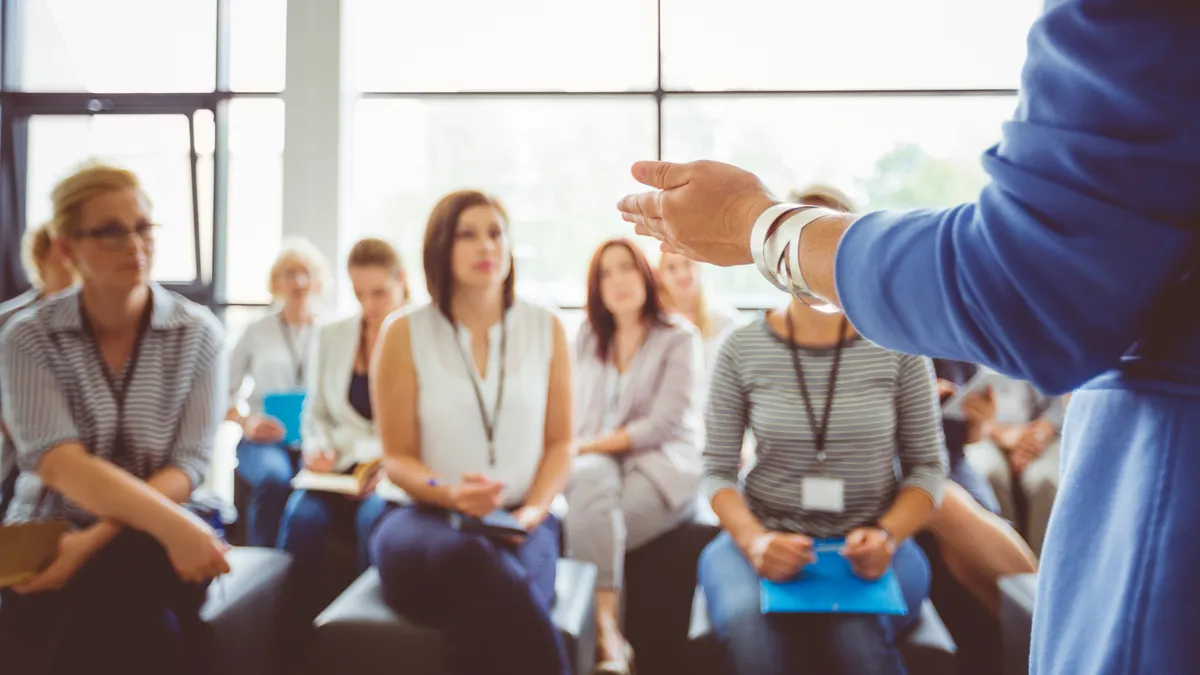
109, 492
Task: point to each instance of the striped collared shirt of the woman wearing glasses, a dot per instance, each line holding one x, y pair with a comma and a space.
57, 393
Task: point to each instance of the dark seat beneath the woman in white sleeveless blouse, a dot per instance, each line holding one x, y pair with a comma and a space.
359, 635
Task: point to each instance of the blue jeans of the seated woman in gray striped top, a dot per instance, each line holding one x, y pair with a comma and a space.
776, 644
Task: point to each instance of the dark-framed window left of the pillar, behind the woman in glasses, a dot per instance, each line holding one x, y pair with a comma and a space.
184, 94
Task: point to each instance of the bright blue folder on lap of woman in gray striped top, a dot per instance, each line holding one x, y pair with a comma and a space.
830, 587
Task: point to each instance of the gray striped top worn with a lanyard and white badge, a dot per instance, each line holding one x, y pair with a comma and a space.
885, 410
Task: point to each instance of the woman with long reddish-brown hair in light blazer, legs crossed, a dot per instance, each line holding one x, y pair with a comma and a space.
639, 467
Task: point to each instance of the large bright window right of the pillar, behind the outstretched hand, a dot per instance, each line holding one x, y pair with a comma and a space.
548, 103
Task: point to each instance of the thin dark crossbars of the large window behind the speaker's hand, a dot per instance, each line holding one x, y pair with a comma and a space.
662, 93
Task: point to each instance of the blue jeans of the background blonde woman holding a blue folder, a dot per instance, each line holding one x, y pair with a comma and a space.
268, 469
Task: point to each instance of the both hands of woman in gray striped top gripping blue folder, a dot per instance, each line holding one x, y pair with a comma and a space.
779, 557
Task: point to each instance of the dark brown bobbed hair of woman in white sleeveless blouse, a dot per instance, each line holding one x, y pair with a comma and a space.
440, 240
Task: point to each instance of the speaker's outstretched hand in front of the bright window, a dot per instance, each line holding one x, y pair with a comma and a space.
704, 211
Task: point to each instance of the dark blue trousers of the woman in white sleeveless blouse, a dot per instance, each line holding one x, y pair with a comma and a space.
493, 601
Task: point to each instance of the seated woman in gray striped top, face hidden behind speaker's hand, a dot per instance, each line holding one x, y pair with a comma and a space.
832, 414
